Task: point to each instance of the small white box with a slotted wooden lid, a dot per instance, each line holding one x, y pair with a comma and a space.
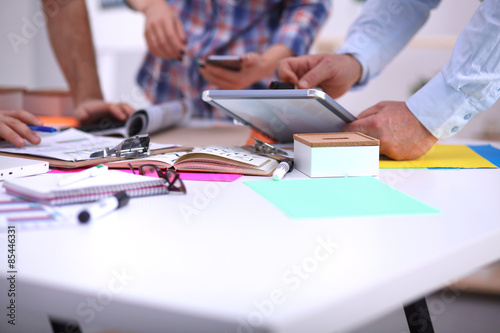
336, 154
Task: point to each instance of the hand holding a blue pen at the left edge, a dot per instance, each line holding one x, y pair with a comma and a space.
13, 127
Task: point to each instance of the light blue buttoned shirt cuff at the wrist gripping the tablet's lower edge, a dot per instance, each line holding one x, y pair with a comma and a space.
442, 109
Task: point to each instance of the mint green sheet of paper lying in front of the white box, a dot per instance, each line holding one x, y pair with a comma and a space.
338, 197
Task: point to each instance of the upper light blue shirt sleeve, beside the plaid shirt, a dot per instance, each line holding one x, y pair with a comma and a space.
382, 30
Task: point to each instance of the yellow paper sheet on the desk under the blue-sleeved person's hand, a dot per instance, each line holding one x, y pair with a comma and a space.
442, 156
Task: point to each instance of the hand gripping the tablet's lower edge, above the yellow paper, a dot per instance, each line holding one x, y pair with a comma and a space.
401, 135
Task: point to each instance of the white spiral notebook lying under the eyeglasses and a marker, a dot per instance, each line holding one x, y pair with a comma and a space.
45, 188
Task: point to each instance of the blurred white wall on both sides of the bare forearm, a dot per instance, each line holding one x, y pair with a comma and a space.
27, 60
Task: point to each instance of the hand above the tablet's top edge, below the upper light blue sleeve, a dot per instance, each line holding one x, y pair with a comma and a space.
334, 73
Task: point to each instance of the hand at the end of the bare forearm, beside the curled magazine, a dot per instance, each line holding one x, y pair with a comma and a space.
90, 111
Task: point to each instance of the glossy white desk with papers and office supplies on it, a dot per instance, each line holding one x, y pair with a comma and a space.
224, 259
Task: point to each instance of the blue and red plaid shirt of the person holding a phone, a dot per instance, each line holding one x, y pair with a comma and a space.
231, 27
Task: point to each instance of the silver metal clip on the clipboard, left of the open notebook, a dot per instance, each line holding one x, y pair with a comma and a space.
133, 147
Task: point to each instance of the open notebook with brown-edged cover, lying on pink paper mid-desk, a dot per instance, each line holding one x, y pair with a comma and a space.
218, 159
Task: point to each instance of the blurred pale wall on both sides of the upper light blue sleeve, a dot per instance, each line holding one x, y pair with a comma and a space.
421, 60
